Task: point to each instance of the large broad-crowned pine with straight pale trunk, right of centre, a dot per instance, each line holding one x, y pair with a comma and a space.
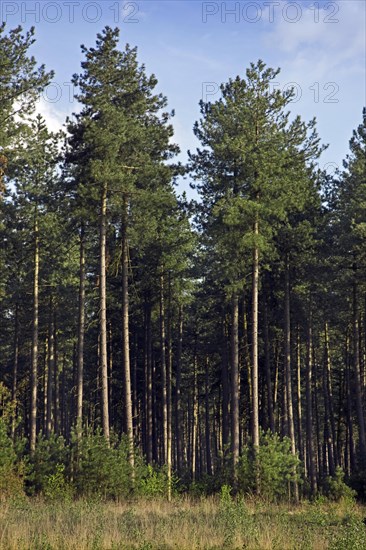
250, 178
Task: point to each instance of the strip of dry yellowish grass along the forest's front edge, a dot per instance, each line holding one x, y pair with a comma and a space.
185, 524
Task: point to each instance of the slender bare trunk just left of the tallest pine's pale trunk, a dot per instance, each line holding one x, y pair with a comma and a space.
81, 332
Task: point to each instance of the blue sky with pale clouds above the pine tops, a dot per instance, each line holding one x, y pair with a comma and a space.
193, 46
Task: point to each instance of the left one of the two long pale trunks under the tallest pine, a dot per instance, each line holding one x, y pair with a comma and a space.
103, 313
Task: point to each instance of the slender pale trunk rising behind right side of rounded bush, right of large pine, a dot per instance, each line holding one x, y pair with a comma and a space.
290, 413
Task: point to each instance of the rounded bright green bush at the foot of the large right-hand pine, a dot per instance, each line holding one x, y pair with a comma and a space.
274, 466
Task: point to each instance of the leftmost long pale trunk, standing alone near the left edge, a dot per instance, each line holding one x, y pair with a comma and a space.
34, 358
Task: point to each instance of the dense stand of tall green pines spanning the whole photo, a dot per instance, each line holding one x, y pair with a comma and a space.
192, 327
